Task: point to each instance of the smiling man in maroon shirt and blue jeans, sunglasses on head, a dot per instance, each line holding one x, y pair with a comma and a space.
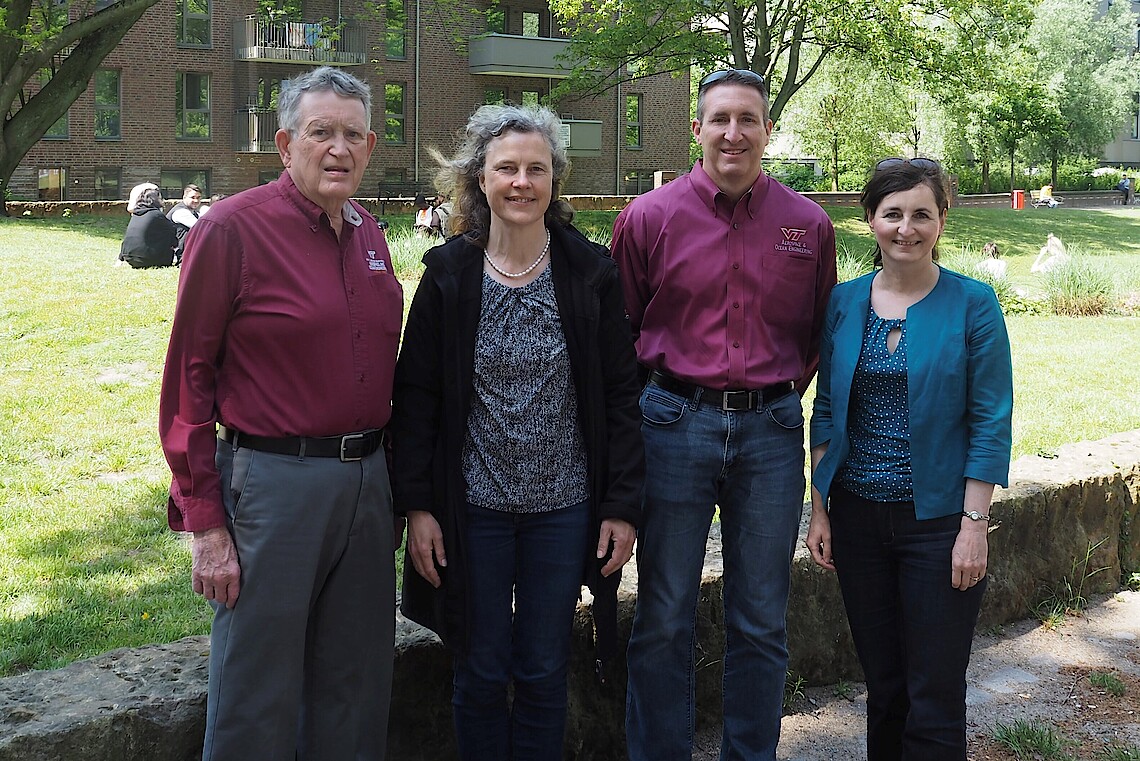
727, 276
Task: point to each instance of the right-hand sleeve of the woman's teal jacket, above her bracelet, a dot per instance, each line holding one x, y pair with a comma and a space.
989, 395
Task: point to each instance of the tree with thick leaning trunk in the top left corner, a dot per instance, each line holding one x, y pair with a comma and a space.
38, 36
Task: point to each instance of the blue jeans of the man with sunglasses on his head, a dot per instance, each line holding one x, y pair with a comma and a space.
752, 465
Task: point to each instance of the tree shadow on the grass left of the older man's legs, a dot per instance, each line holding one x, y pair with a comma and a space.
124, 583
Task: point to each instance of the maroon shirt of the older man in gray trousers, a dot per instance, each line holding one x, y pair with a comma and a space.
280, 331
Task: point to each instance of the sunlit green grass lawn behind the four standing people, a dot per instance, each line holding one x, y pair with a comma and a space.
87, 563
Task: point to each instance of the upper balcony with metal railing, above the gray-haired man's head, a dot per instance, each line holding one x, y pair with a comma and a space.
299, 43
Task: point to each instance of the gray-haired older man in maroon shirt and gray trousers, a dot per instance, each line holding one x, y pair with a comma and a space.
276, 394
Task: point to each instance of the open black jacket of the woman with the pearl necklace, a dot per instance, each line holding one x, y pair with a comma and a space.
433, 399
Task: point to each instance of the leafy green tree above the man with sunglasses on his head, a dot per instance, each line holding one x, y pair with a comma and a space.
787, 43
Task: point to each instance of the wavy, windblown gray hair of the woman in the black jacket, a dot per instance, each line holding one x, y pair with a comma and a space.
459, 177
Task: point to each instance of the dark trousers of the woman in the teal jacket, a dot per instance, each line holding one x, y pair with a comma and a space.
911, 628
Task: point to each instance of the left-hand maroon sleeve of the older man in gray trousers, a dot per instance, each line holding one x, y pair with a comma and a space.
208, 291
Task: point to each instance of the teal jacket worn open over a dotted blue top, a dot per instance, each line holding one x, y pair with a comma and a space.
959, 389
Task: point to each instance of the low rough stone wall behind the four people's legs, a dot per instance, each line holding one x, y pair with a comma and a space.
149, 705
